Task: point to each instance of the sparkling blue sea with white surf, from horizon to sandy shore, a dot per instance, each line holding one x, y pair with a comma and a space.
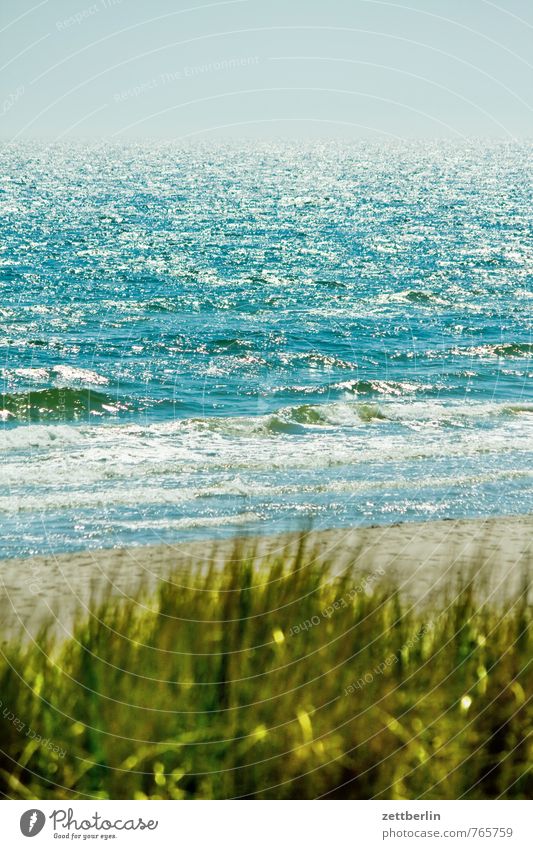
198, 340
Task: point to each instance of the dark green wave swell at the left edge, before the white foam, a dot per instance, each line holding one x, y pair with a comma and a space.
57, 404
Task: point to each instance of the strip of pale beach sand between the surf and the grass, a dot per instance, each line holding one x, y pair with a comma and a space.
427, 560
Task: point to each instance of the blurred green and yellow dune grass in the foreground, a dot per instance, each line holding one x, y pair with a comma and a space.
213, 689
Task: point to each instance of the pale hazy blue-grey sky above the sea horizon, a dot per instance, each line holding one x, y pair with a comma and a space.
186, 69
